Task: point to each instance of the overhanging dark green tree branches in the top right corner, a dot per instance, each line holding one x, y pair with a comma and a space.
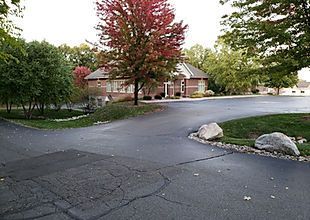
275, 30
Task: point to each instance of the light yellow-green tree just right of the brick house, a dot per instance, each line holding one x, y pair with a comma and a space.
232, 70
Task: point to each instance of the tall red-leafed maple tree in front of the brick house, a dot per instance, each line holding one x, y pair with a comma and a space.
143, 40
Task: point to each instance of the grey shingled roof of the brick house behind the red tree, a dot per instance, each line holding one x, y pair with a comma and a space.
189, 71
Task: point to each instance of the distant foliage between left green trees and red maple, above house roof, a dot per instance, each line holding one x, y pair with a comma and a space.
80, 56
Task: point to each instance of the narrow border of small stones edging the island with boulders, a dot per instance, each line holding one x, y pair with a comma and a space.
249, 150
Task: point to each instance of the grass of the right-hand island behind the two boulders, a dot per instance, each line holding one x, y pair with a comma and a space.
245, 131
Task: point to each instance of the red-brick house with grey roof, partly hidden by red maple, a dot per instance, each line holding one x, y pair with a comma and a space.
187, 80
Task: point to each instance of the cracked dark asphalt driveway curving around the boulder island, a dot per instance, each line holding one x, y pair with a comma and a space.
147, 168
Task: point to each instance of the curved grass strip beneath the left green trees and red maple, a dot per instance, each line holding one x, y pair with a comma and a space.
112, 112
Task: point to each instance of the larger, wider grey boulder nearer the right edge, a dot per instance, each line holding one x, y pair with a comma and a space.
277, 142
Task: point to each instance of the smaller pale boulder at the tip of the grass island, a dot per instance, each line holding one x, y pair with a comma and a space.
210, 131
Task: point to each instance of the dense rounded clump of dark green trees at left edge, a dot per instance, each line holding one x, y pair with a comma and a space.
40, 78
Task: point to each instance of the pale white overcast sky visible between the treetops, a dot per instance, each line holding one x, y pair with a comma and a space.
73, 21
